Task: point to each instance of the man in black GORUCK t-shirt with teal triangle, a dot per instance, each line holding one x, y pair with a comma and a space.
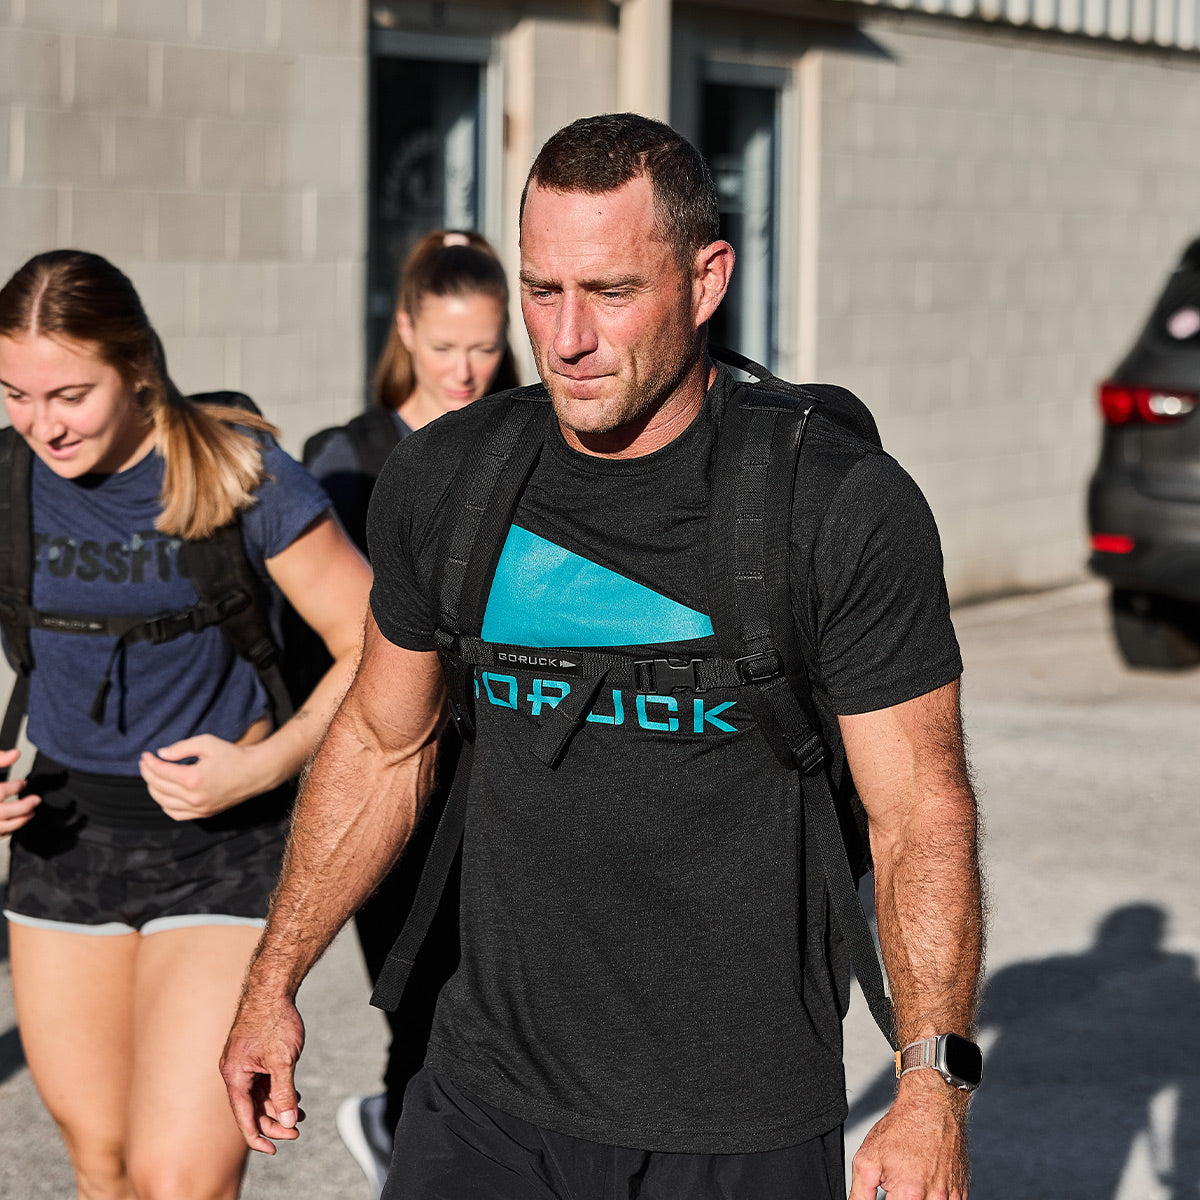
646, 1003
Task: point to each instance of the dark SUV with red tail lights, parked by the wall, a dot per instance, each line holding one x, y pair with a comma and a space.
1144, 500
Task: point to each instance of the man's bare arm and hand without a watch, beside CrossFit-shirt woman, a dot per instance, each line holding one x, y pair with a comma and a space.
359, 803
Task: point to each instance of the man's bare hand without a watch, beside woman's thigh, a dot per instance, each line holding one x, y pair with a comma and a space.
257, 1066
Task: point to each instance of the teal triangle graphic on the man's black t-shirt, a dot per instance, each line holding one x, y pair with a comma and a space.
548, 597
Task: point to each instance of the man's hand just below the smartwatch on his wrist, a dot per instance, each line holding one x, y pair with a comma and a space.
919, 1150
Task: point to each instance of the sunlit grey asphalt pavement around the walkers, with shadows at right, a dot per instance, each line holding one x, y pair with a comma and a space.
1091, 1024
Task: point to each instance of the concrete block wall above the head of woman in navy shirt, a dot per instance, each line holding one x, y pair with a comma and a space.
215, 151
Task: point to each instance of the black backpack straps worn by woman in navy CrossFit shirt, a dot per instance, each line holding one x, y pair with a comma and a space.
229, 592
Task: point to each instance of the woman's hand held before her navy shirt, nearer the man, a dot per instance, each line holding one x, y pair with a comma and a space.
203, 776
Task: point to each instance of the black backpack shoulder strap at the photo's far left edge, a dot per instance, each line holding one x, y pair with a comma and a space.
16, 575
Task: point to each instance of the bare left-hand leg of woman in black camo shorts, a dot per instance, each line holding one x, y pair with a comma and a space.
75, 1005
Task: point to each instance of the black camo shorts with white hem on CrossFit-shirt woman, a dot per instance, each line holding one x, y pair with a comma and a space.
68, 869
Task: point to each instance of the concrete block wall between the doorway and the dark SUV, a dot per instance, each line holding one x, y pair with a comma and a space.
998, 214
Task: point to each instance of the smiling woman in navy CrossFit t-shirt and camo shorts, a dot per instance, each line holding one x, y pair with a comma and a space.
148, 836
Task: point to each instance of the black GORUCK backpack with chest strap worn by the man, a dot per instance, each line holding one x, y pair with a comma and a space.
749, 539
